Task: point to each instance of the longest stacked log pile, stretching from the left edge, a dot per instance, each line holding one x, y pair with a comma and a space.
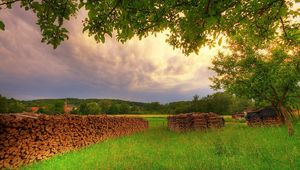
27, 138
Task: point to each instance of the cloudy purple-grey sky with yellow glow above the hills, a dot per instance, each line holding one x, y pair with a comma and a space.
144, 70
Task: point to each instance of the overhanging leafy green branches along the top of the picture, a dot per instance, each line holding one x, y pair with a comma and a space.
190, 24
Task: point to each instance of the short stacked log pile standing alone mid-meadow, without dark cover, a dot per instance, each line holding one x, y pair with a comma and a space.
195, 121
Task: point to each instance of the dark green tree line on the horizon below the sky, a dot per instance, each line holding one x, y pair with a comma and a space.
220, 102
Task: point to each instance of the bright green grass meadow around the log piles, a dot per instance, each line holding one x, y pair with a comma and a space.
234, 147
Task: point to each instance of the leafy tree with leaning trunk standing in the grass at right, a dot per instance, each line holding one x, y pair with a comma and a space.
266, 74
